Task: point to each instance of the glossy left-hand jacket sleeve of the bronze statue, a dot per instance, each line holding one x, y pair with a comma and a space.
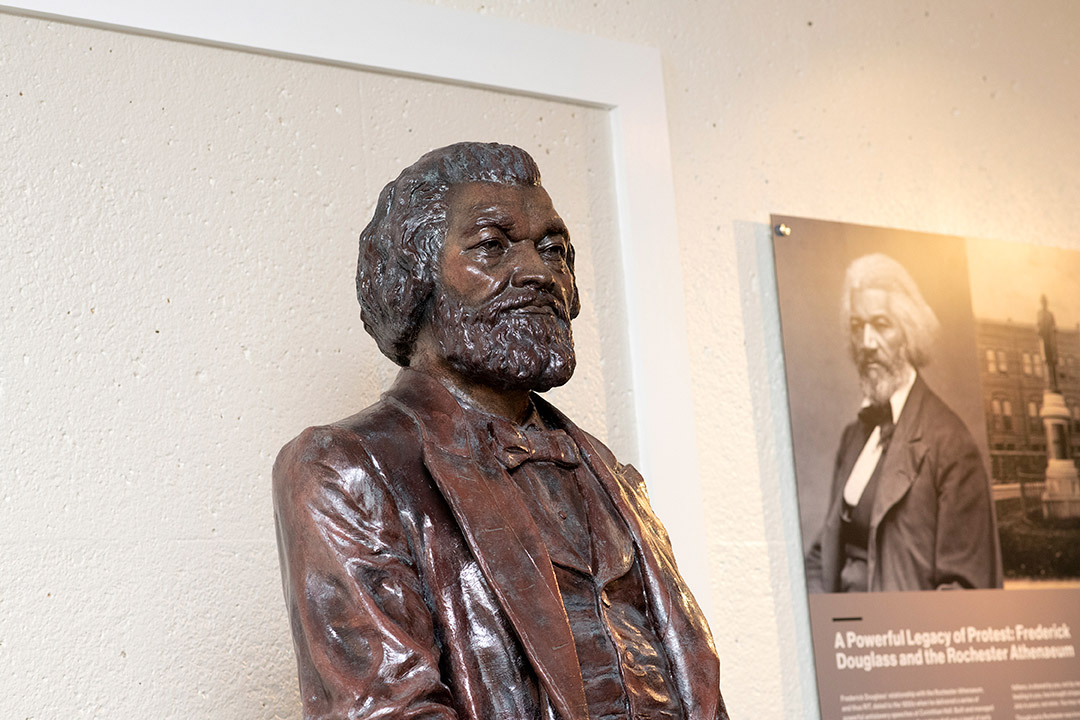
363, 634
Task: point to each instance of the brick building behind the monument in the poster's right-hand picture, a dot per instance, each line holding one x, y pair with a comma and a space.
1014, 376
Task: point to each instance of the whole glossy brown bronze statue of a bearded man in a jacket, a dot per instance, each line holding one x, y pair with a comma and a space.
461, 549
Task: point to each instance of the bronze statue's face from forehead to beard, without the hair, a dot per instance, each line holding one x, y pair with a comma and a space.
503, 307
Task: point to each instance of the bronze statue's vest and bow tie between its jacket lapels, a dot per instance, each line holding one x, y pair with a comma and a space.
624, 664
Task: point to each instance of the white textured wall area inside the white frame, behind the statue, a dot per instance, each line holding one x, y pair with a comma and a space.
180, 232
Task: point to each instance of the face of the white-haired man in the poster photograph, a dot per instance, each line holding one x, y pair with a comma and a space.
877, 344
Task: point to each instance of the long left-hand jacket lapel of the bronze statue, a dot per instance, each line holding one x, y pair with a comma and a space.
502, 535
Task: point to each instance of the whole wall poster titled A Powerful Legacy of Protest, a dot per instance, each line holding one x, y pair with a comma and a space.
934, 386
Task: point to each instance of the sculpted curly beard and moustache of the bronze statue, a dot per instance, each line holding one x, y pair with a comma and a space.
520, 341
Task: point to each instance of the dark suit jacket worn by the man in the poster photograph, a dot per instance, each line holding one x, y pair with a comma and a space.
933, 523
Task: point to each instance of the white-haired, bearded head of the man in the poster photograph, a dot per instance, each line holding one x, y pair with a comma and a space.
890, 328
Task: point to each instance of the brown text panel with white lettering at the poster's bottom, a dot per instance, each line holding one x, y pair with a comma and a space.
971, 656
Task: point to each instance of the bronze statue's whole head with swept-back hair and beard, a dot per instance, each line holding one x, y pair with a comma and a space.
467, 246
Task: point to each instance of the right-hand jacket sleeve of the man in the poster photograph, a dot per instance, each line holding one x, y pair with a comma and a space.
966, 553
